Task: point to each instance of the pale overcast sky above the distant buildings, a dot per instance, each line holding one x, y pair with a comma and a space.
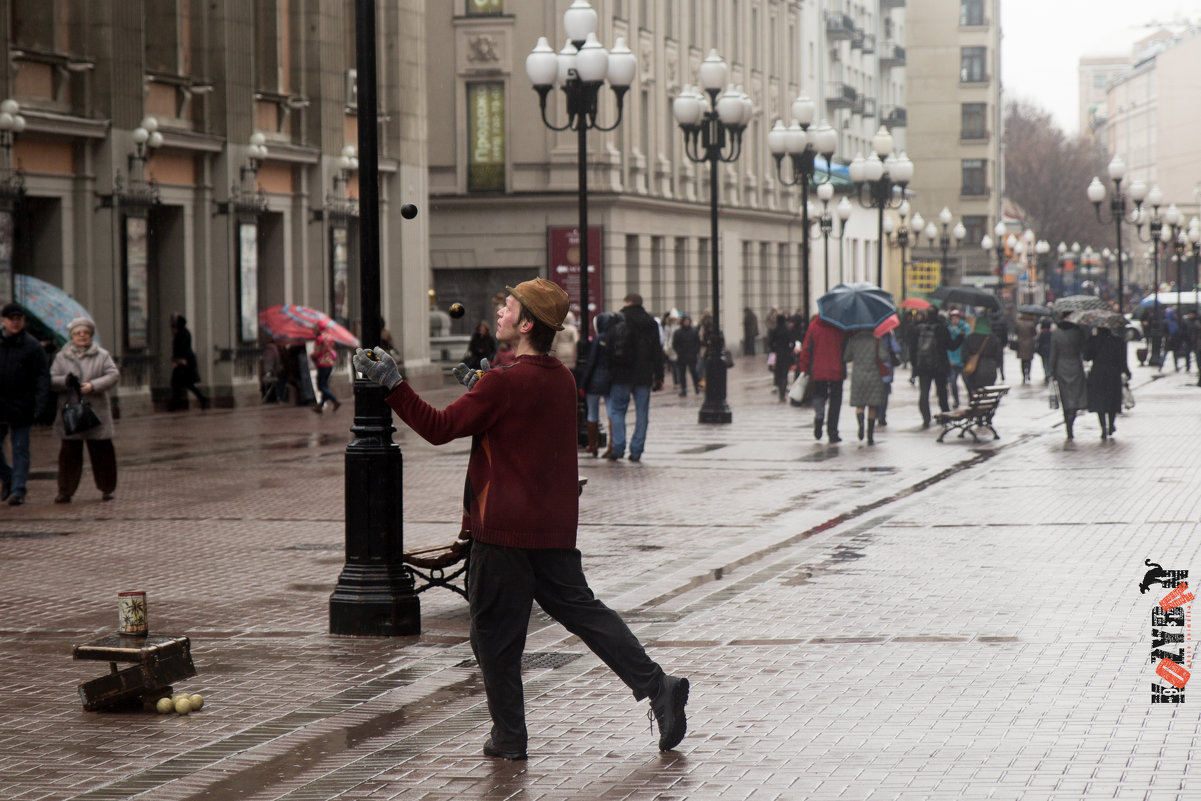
1043, 41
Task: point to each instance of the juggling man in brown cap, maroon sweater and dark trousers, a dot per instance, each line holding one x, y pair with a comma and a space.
523, 511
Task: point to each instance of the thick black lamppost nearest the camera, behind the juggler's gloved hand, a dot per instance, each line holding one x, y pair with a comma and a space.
375, 594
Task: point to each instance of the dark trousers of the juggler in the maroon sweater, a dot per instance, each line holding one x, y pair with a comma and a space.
503, 585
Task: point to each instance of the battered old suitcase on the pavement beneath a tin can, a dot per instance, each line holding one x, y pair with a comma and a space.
158, 661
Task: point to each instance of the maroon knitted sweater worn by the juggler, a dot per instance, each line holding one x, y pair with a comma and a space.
523, 476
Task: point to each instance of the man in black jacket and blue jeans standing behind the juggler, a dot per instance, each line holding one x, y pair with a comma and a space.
637, 368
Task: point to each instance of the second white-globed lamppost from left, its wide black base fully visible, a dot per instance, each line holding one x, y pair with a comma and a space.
713, 131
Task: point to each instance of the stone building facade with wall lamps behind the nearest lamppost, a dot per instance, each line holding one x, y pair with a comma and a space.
195, 219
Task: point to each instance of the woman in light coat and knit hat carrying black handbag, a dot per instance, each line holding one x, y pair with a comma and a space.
97, 374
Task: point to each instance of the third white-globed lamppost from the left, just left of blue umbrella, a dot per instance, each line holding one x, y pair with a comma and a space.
803, 150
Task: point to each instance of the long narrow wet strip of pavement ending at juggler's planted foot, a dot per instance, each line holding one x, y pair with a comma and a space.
285, 767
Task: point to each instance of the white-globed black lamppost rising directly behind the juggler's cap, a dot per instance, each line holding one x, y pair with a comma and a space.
581, 69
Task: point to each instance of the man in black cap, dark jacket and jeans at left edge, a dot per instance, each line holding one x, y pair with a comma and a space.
25, 393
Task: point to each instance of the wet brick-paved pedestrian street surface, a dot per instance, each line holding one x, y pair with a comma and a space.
912, 620
